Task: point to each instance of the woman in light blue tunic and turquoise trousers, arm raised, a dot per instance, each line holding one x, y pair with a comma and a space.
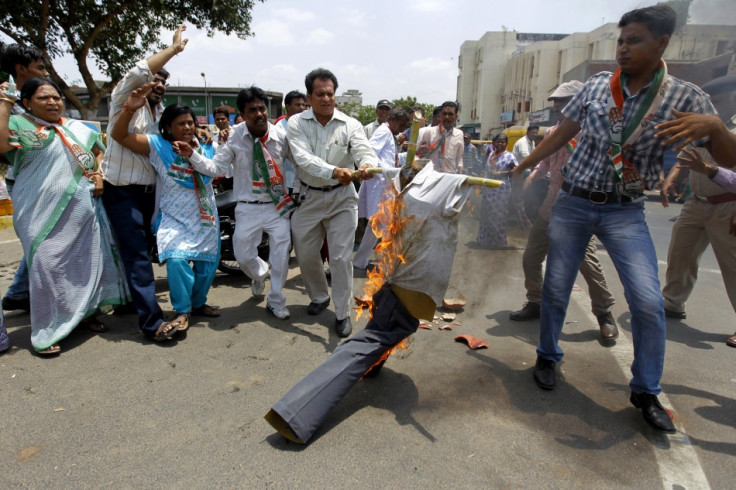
186, 224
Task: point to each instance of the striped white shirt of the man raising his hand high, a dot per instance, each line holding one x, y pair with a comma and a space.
120, 165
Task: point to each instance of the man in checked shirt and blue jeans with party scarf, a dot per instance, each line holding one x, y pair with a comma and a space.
616, 159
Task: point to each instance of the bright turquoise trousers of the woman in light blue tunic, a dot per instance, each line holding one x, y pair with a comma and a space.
188, 286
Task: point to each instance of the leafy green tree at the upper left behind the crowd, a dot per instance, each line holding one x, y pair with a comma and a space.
112, 34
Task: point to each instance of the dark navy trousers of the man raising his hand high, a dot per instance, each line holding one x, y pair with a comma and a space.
130, 209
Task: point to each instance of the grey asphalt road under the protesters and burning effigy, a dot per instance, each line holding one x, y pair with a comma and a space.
114, 410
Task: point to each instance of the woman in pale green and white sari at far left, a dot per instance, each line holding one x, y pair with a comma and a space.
62, 226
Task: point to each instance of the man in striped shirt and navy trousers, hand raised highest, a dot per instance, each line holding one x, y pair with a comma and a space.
130, 184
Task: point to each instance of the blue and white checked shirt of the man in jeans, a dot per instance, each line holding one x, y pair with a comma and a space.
590, 167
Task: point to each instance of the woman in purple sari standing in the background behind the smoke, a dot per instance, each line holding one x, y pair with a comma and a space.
494, 209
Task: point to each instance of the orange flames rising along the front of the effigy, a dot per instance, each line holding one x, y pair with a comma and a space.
387, 224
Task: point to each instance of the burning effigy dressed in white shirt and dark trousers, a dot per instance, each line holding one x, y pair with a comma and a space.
415, 283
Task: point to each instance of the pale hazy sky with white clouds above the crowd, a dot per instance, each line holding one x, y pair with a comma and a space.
386, 49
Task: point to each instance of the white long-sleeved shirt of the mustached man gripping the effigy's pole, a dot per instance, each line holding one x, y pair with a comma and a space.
318, 149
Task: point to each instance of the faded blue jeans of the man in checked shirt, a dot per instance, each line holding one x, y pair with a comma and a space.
622, 229
